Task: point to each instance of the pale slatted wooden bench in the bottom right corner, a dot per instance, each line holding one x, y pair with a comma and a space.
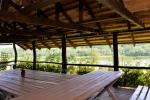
141, 93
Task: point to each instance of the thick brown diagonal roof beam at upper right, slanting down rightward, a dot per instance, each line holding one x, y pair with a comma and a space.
117, 6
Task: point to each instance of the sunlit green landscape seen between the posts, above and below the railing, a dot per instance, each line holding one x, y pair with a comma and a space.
128, 56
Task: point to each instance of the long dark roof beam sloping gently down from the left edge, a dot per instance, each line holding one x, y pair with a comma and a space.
8, 16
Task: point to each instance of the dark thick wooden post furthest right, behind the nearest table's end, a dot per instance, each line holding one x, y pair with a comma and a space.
115, 52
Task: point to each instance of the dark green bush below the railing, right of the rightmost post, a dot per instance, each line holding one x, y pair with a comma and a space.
134, 77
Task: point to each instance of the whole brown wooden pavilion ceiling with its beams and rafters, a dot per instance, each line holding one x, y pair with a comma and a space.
83, 22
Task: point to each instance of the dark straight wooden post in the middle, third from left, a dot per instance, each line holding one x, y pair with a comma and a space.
64, 58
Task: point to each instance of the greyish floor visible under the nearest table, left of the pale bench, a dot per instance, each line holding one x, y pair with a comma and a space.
121, 94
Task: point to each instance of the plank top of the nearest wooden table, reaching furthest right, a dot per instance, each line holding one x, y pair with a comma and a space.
79, 88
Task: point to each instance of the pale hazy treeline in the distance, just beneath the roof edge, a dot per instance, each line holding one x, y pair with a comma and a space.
55, 54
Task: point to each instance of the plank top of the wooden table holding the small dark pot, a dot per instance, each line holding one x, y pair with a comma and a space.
12, 82
